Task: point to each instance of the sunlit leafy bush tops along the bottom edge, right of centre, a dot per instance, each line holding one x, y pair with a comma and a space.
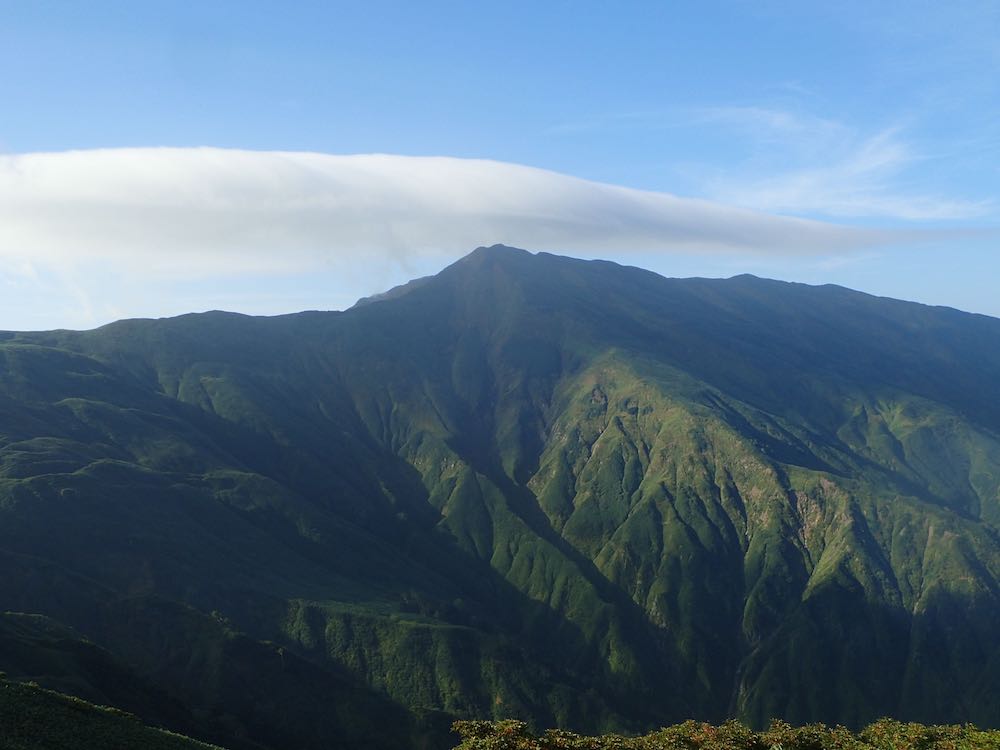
884, 734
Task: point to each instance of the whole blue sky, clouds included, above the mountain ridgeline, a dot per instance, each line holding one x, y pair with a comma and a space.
879, 123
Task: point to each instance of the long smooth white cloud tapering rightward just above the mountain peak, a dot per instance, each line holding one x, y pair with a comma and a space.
199, 213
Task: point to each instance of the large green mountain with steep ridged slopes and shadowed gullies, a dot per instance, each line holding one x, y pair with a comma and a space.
530, 486
